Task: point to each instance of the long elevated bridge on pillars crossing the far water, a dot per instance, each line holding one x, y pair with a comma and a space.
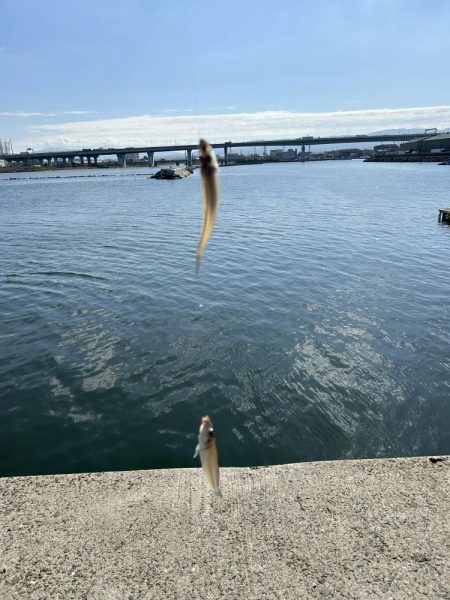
90, 156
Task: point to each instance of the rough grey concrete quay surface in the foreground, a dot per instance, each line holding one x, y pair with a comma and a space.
350, 529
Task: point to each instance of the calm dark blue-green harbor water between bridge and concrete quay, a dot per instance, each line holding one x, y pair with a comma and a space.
317, 328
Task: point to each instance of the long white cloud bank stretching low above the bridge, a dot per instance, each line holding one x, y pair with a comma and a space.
153, 130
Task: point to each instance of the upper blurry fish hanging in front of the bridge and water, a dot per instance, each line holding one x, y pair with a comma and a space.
210, 185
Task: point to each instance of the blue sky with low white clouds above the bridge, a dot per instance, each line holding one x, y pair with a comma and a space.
95, 73
